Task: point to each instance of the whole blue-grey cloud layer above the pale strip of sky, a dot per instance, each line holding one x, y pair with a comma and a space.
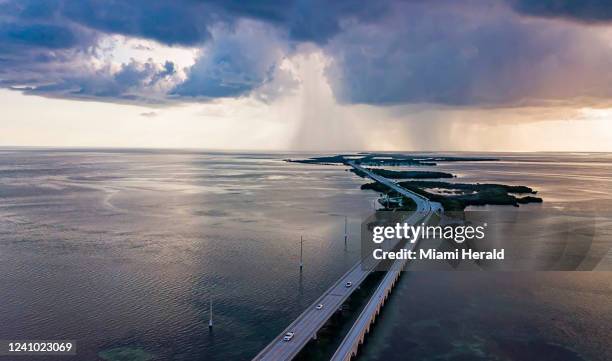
448, 53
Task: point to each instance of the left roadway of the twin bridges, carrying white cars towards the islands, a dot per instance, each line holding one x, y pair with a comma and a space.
309, 322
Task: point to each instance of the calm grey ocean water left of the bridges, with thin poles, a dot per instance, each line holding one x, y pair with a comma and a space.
124, 249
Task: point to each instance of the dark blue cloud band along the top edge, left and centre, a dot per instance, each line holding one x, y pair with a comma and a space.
186, 22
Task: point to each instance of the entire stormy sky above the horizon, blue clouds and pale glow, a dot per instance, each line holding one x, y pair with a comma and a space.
454, 75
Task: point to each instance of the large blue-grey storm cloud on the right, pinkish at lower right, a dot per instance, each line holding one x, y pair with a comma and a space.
454, 55
